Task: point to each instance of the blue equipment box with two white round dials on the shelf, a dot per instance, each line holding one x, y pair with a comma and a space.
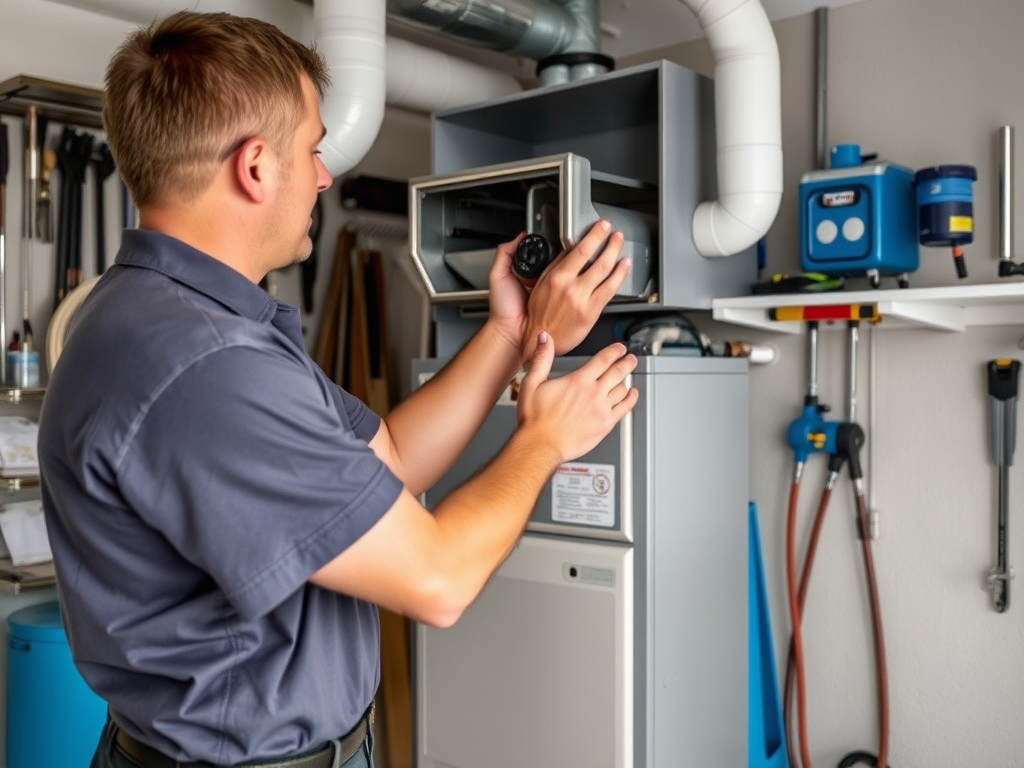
860, 221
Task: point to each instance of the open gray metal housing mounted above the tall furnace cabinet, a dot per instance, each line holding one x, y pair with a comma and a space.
648, 136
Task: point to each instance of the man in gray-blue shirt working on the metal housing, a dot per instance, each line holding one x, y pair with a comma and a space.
224, 519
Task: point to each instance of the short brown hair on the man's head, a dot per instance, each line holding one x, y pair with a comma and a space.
182, 94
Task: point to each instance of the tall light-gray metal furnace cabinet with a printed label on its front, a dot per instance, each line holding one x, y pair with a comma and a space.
615, 636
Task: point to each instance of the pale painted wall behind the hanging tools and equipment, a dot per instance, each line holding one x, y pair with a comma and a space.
922, 82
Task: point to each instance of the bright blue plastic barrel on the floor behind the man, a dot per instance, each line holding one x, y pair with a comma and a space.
54, 718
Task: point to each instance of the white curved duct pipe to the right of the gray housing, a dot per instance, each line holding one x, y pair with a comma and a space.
748, 123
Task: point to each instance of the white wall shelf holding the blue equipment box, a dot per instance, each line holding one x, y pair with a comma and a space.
951, 309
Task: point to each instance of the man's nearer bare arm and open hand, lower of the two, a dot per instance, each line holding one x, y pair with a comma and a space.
431, 566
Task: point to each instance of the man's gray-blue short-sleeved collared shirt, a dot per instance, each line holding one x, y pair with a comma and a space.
198, 468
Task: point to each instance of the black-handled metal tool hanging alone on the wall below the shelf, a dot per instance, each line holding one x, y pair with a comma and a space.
1003, 386
